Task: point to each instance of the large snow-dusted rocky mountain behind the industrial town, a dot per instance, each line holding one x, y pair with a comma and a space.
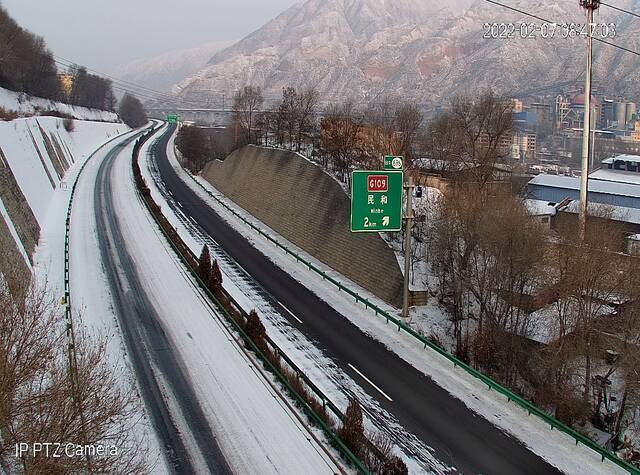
424, 50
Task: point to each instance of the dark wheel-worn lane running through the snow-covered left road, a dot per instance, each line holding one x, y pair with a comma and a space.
146, 341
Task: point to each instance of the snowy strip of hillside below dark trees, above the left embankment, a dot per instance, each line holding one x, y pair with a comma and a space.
27, 105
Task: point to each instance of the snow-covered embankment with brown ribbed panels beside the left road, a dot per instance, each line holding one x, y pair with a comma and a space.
38, 157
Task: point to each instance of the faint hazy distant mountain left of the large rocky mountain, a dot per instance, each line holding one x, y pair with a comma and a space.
162, 72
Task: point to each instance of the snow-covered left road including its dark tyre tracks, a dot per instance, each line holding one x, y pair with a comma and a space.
211, 407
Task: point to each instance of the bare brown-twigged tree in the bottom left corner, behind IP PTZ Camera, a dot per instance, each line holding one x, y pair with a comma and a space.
38, 403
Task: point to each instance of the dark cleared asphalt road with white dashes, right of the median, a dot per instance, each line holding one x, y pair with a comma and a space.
459, 437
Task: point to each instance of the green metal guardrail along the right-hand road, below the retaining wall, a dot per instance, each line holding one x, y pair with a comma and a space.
510, 395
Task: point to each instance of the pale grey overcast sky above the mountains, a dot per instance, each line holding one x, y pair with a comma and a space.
101, 34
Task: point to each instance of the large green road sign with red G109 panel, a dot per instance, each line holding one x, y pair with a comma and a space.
376, 201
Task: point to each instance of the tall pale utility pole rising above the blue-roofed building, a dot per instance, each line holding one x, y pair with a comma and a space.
590, 6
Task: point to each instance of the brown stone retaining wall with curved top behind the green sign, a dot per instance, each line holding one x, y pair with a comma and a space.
309, 208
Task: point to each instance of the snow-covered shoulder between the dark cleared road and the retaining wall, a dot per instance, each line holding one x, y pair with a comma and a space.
554, 446
